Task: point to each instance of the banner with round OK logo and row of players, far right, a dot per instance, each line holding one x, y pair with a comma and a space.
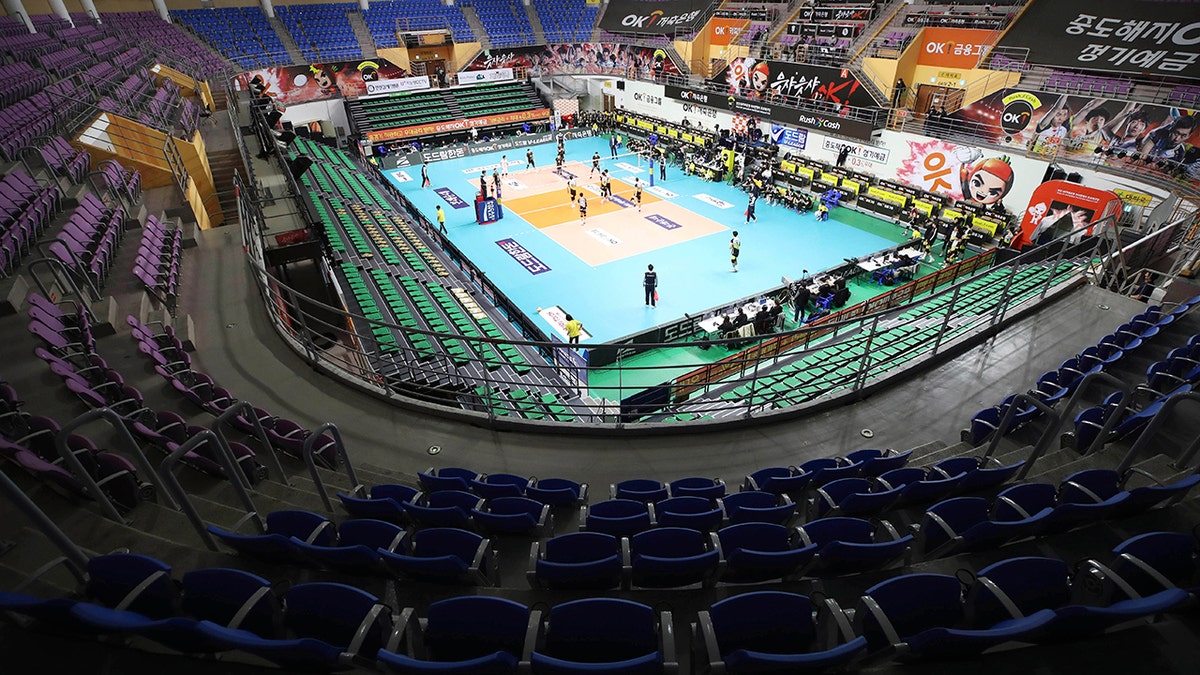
1123, 134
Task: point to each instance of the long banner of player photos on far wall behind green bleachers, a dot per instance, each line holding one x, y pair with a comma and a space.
586, 58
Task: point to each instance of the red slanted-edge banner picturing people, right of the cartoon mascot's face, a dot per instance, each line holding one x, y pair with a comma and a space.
1060, 207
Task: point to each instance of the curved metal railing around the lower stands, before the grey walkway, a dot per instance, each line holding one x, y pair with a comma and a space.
608, 397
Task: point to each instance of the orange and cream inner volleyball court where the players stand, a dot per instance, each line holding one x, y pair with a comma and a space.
614, 230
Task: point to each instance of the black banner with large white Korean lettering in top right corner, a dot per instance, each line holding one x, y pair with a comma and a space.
1144, 37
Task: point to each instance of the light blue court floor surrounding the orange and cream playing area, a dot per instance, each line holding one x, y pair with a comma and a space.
694, 276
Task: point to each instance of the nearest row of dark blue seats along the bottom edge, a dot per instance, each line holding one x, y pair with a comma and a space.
921, 616
